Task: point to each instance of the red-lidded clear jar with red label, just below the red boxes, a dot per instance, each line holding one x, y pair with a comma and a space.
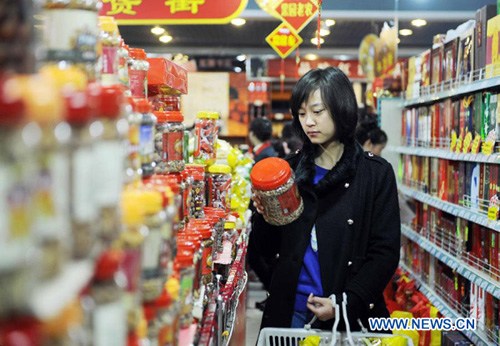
169, 142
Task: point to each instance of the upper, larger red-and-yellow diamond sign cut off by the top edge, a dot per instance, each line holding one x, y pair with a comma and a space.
297, 13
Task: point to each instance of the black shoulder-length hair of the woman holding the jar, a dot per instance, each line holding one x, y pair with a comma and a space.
338, 96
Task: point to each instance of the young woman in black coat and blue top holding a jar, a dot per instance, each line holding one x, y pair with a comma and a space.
347, 239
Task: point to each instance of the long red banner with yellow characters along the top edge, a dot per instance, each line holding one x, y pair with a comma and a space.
140, 12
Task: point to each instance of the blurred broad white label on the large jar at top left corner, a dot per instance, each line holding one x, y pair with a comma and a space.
70, 34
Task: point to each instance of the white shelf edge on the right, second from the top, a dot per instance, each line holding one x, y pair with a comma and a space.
446, 154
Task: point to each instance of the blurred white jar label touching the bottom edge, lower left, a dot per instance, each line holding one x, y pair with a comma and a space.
110, 324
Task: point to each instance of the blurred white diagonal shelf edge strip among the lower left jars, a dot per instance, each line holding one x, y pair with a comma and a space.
49, 298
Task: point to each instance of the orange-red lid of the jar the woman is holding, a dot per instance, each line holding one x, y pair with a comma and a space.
270, 173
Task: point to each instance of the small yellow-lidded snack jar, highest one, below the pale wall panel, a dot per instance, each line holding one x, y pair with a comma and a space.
206, 133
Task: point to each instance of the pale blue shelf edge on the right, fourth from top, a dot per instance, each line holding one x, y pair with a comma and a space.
464, 269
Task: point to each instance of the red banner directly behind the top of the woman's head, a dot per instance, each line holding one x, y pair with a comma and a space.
351, 68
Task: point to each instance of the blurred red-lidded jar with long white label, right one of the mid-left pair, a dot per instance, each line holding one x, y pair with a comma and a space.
109, 159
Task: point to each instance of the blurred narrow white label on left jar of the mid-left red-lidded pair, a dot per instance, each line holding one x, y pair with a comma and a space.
83, 207
